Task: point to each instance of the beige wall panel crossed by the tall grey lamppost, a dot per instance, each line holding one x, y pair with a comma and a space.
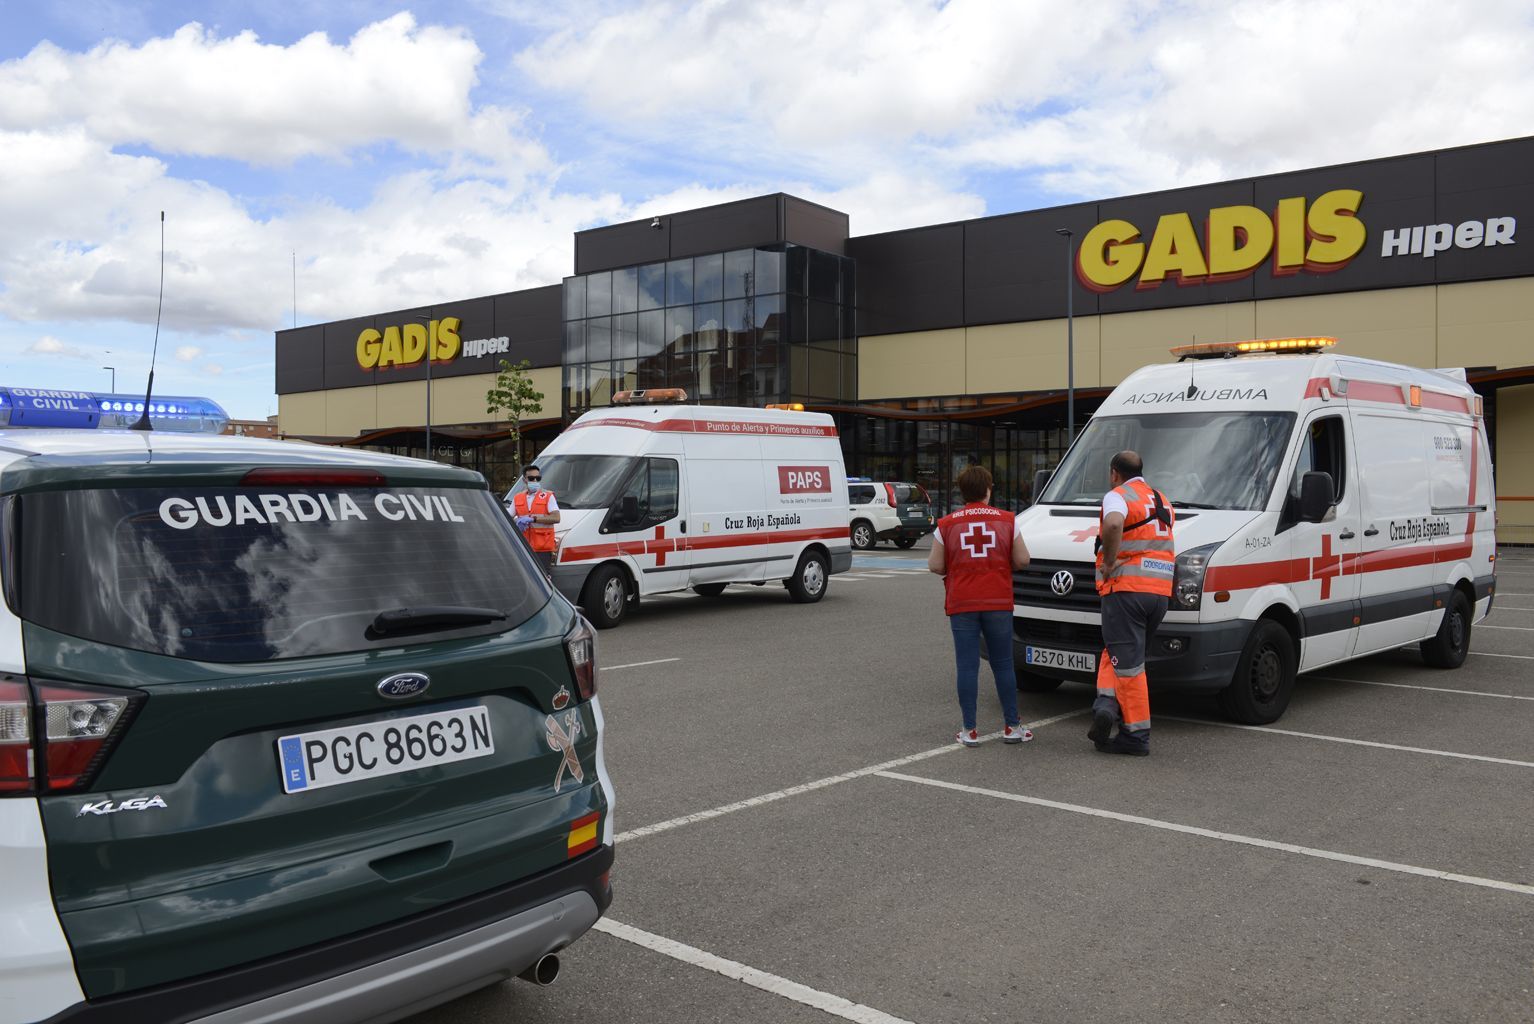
1030, 356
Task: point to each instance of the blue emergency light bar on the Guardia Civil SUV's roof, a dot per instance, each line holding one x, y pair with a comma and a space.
93, 412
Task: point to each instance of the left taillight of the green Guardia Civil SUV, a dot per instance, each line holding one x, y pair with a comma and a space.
54, 737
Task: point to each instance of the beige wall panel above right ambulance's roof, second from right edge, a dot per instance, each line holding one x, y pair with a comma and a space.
1392, 324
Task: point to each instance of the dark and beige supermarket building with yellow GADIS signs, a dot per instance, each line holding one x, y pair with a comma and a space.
943, 346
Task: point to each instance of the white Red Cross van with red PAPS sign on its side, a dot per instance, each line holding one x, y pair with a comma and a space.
659, 497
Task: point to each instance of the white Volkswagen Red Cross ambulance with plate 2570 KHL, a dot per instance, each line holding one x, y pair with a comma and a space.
1328, 508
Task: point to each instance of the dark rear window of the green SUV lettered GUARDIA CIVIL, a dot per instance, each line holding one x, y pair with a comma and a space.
248, 574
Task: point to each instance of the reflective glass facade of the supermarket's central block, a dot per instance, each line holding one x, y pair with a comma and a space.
748, 327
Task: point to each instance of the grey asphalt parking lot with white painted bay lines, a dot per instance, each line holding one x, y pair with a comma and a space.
802, 841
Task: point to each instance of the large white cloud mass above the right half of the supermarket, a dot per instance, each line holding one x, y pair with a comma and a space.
1087, 100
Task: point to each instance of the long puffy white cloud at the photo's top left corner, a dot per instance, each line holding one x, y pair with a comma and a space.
199, 94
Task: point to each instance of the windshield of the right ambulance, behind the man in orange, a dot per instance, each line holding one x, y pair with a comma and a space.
1199, 461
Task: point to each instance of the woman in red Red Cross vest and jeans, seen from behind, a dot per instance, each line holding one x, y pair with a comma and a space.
976, 551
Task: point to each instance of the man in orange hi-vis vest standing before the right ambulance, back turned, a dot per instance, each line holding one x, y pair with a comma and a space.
1134, 574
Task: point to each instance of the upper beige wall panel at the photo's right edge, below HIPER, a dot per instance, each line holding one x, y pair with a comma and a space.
1487, 324
